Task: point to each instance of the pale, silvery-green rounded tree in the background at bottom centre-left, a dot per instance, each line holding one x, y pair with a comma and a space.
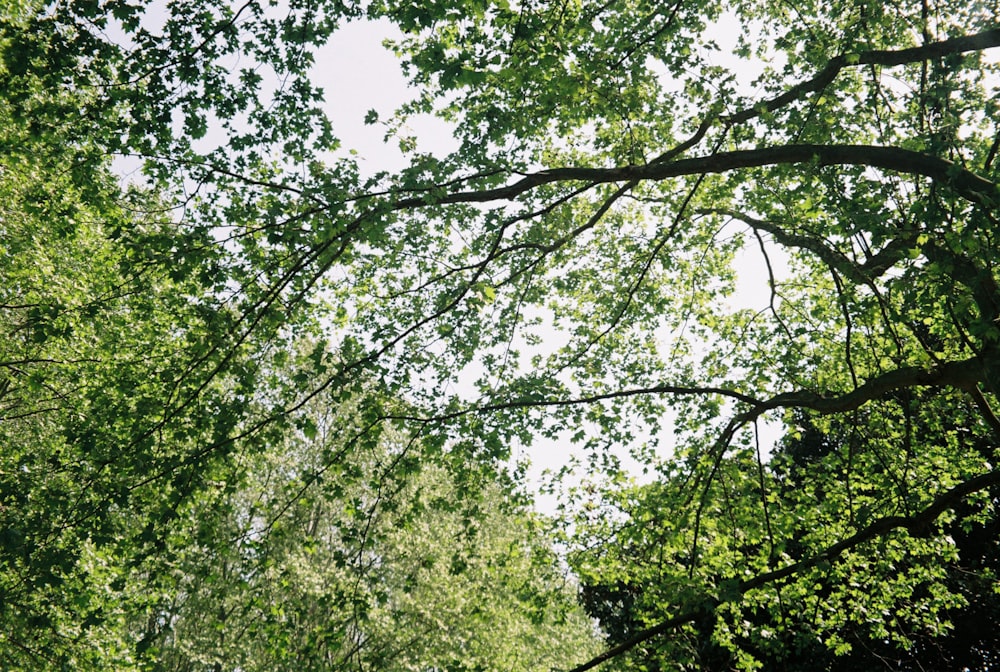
377, 559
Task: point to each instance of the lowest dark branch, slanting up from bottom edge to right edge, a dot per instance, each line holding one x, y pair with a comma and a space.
916, 525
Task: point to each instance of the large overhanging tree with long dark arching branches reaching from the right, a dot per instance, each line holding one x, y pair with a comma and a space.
575, 256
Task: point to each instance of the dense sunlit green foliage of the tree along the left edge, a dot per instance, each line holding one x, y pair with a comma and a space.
105, 412
